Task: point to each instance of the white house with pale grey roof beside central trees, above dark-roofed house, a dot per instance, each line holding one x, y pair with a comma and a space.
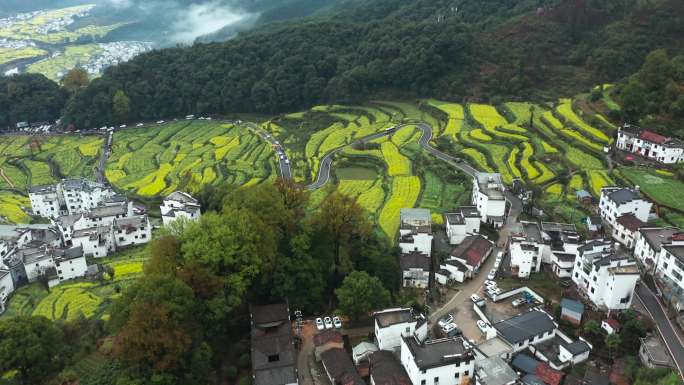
415, 231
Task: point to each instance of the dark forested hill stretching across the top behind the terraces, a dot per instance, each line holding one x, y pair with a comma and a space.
480, 50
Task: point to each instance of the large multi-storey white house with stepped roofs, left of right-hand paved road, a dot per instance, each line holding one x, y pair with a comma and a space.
606, 276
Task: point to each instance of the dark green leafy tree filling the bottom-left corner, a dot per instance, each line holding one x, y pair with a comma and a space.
32, 346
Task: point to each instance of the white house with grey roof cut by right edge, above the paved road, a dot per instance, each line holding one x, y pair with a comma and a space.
648, 242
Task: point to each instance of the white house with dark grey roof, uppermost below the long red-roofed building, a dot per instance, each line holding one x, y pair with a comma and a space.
616, 201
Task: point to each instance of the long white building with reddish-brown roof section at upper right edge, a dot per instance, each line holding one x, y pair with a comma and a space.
650, 145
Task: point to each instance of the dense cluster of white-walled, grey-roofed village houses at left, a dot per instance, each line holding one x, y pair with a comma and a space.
87, 219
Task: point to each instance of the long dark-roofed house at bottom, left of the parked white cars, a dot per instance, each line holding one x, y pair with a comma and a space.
274, 359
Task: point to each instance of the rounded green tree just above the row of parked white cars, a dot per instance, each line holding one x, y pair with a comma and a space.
360, 293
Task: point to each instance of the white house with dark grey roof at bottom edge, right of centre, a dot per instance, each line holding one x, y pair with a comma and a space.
441, 361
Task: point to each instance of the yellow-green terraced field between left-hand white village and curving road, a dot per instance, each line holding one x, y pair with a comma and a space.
185, 155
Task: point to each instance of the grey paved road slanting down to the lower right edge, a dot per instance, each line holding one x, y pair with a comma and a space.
667, 329
